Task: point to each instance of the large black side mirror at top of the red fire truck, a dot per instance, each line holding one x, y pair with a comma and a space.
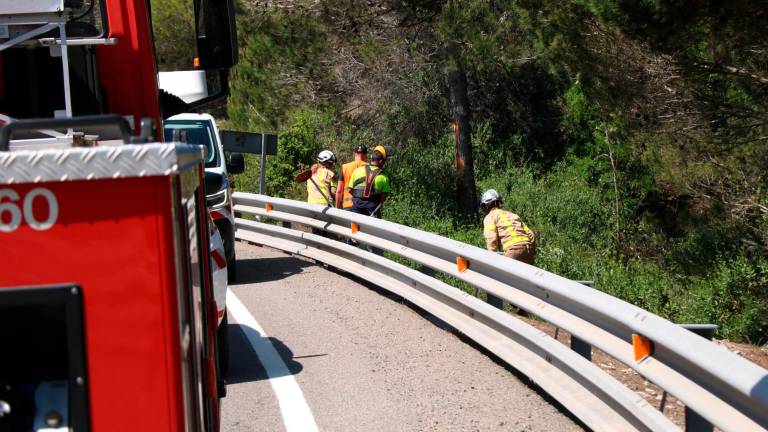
216, 33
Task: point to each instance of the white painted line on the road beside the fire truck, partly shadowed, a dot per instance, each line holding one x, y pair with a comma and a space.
297, 416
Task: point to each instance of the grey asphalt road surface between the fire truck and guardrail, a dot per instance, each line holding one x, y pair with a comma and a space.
357, 359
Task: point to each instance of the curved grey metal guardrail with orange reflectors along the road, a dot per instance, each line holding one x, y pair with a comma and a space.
724, 388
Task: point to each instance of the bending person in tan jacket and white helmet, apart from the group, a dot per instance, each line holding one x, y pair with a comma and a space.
505, 231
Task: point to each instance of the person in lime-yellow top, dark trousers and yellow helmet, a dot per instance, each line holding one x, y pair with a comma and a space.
369, 186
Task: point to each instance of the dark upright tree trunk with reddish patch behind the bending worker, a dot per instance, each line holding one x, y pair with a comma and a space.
462, 127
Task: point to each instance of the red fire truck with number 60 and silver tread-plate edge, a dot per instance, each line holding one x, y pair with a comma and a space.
107, 318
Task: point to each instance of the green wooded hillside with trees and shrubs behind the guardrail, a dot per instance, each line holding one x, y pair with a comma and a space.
630, 135
